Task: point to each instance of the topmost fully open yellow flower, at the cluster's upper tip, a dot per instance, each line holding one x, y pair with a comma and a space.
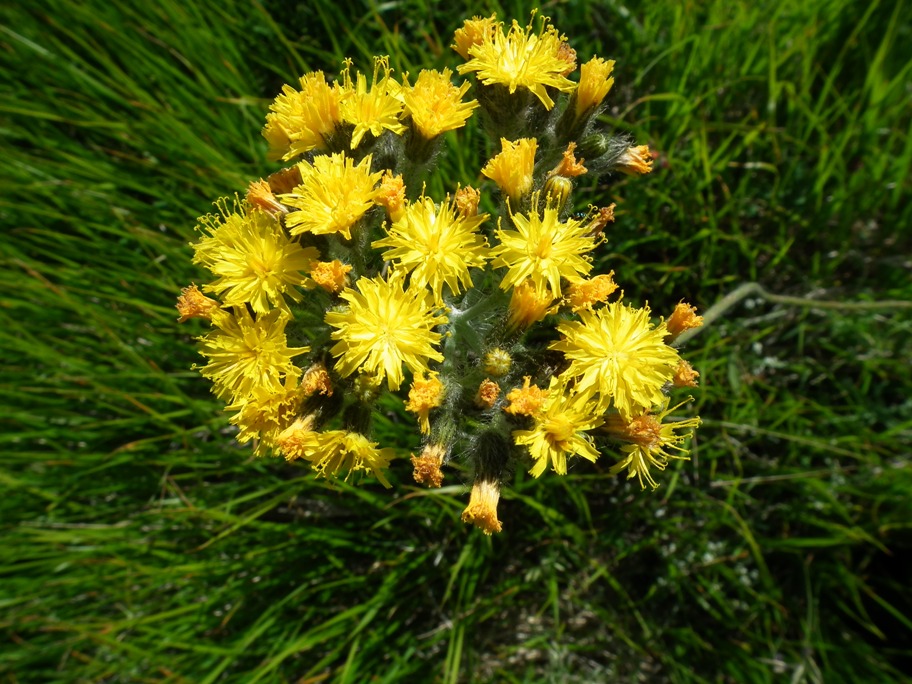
521, 59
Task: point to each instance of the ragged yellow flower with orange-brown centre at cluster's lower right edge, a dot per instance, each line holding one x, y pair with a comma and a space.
650, 440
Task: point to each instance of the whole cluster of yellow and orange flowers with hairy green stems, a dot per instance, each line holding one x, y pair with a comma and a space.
339, 282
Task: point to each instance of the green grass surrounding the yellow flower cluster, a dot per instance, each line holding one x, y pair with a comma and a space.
140, 543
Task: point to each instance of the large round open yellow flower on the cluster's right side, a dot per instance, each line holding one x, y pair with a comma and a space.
617, 352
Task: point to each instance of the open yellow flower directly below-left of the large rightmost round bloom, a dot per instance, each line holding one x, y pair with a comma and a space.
559, 428
